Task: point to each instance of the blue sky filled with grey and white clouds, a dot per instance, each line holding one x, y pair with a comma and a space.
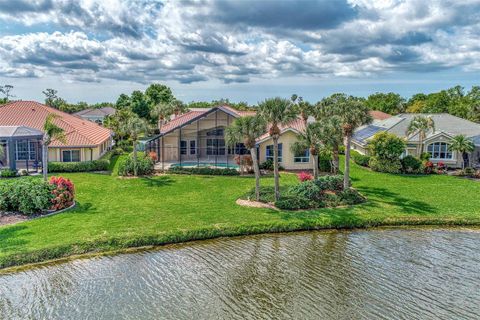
243, 50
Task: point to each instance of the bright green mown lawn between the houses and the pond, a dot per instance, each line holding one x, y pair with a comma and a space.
116, 213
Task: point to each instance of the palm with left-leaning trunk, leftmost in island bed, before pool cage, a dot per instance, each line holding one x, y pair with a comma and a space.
247, 130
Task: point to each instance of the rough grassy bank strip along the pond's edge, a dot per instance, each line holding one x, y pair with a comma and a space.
22, 262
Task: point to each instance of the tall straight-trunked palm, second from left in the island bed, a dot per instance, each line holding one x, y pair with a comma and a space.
276, 112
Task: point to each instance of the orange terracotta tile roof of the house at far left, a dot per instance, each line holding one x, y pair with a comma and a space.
79, 132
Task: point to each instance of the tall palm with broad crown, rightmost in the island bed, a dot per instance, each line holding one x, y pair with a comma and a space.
352, 113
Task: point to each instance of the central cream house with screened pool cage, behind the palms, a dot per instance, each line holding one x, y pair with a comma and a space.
196, 138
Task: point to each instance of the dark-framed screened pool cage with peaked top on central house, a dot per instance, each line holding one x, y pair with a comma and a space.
196, 142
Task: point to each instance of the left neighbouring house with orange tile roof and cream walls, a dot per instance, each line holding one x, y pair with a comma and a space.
85, 140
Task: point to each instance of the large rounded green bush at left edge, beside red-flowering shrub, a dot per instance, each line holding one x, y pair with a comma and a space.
26, 195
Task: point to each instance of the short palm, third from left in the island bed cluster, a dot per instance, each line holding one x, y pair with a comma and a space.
311, 140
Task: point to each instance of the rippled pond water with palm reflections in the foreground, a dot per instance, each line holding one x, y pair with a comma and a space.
379, 274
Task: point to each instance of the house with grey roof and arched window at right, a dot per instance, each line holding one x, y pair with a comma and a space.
436, 143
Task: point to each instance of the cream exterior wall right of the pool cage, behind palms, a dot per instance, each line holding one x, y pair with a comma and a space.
287, 139
